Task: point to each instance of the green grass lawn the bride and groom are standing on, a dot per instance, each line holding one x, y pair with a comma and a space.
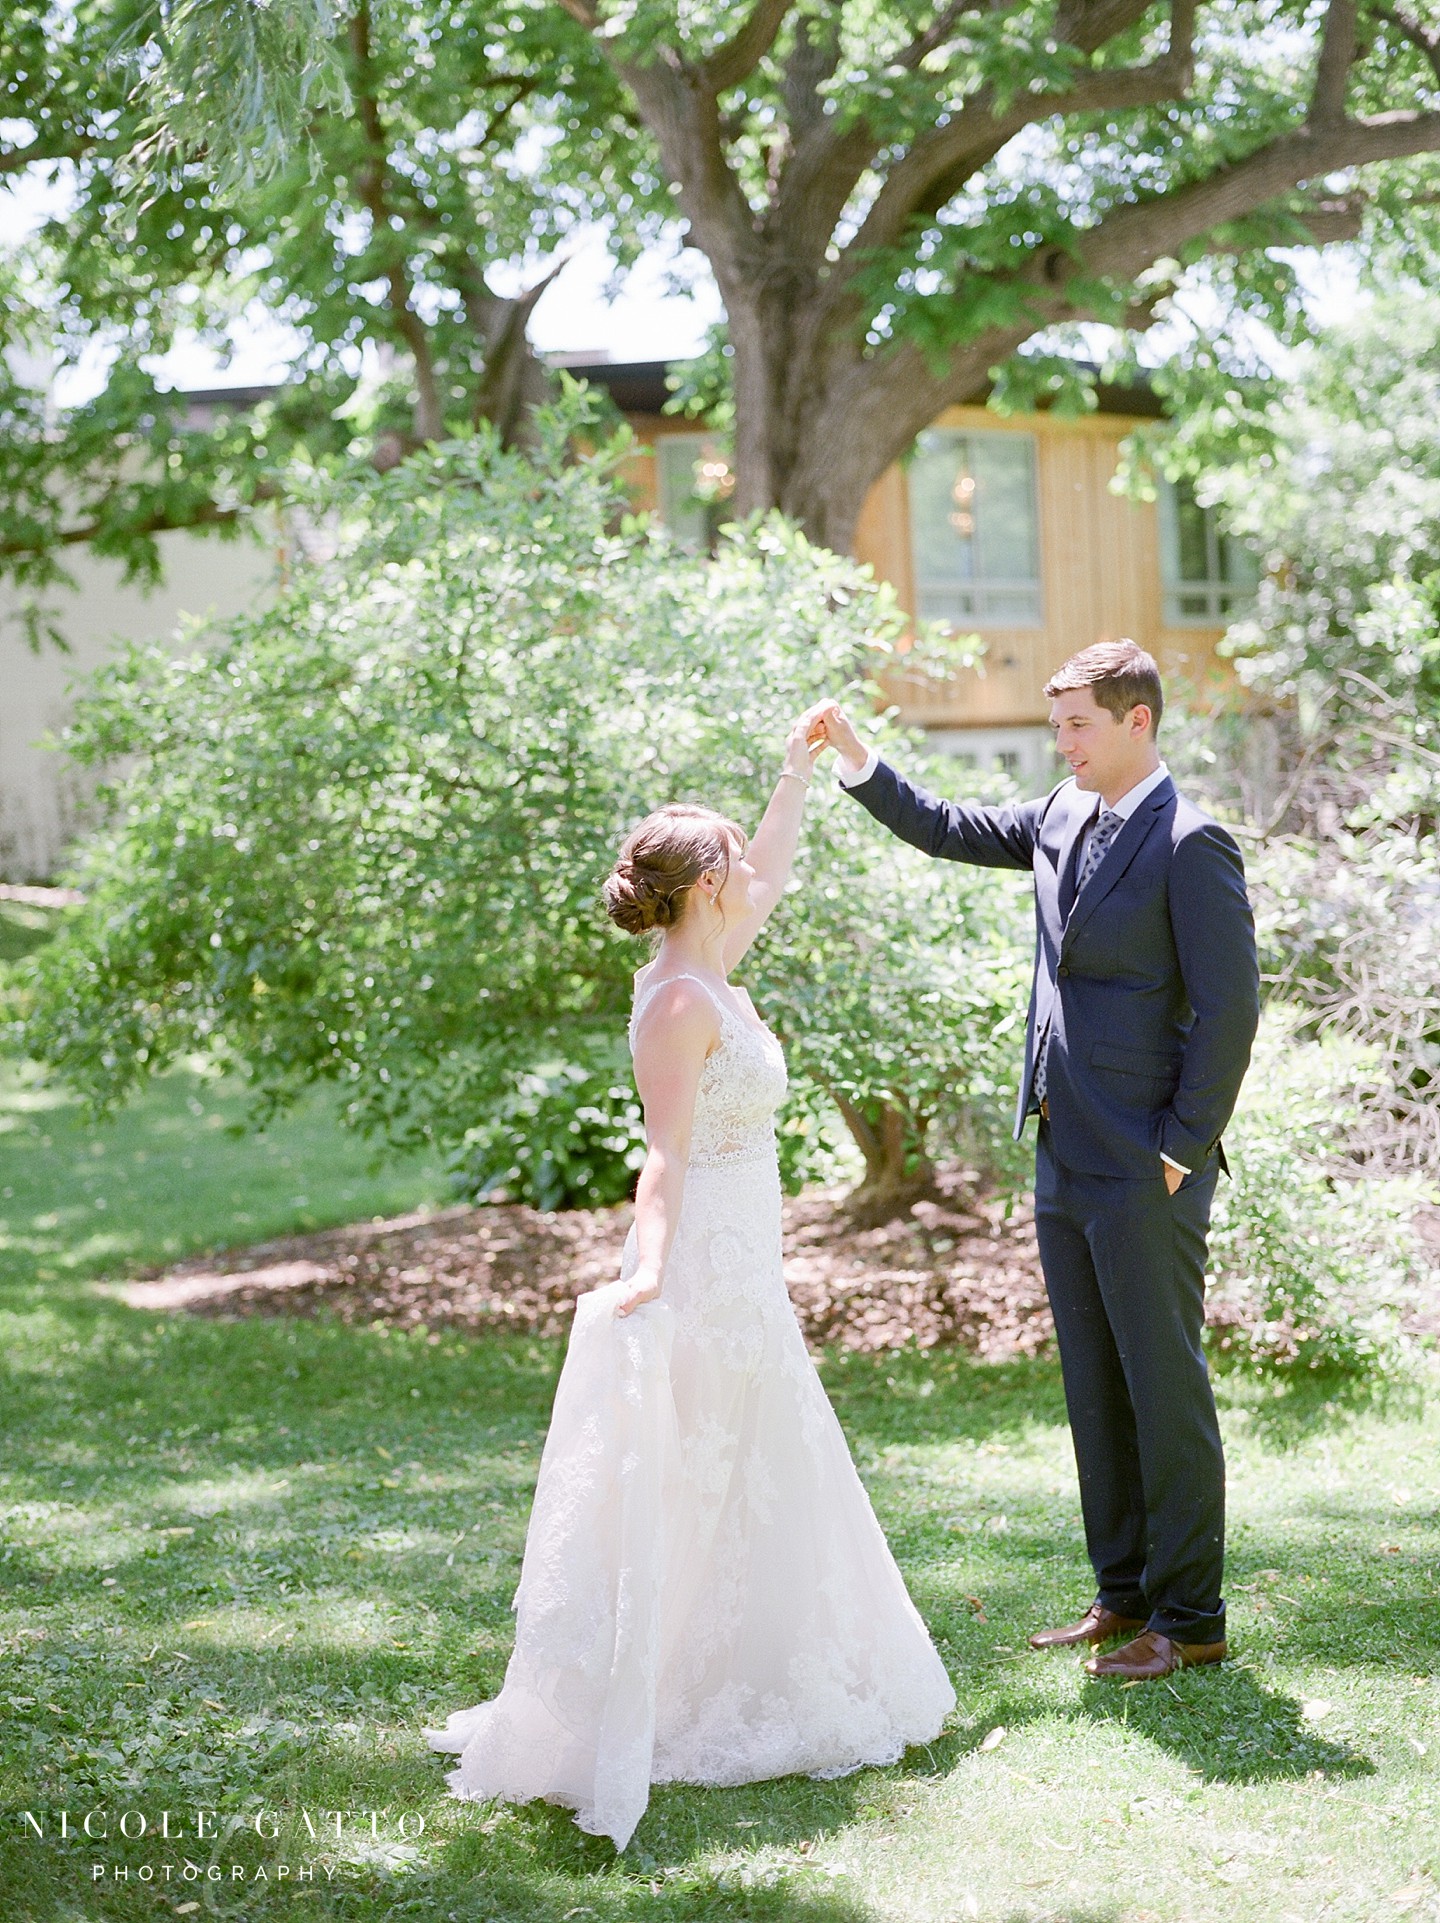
247, 1561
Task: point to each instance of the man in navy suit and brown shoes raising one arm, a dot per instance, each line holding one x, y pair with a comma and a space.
1143, 1012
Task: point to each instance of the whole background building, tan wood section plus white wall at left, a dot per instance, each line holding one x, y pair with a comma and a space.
1003, 528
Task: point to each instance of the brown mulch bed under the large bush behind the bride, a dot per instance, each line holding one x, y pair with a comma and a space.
956, 1268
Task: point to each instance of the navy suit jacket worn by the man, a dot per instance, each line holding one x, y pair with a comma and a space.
1149, 982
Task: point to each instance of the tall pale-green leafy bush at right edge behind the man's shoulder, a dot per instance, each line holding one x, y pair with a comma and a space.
1333, 755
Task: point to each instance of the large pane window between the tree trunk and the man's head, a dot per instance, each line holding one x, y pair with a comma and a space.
974, 530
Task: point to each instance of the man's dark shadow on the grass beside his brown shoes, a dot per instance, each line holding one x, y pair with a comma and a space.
1224, 1726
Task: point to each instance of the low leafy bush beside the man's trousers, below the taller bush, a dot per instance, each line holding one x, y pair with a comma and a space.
1312, 1266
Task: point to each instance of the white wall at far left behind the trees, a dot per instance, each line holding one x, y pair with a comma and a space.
41, 797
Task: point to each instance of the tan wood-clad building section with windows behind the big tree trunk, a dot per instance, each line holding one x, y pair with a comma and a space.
1006, 530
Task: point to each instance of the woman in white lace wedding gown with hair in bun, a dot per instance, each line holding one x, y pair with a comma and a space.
707, 1595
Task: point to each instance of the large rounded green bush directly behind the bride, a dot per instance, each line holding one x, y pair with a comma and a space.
364, 832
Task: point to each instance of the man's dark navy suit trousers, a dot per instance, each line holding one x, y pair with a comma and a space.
1126, 1270
